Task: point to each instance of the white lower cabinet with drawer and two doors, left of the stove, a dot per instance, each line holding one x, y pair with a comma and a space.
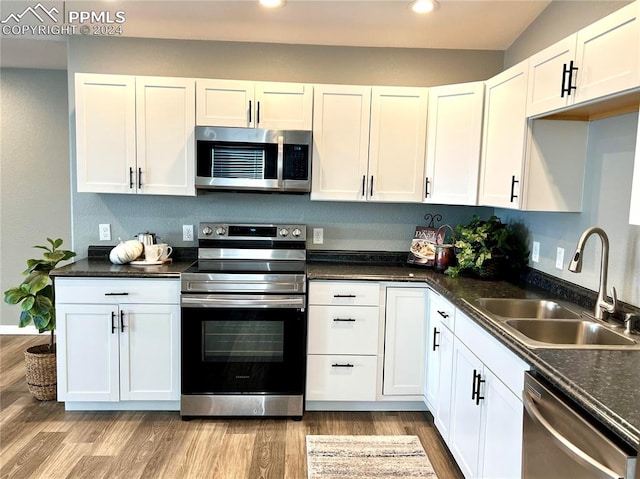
118, 340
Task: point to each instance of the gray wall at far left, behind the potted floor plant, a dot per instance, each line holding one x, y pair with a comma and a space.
34, 170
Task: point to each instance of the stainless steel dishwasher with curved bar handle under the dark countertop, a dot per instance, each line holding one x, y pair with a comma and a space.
558, 443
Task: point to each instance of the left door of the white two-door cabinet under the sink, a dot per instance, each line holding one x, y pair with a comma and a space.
464, 434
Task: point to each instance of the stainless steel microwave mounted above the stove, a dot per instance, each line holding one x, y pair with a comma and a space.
253, 159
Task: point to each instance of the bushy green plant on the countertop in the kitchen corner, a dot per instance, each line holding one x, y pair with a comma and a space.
489, 249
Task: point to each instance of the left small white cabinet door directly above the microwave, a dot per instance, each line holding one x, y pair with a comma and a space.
225, 103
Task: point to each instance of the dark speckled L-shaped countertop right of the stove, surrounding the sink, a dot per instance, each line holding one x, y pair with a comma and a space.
606, 384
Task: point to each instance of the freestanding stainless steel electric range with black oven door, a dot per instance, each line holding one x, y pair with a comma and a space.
244, 322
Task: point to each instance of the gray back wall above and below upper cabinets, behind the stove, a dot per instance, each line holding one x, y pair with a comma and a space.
347, 225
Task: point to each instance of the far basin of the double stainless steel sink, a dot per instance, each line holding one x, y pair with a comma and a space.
526, 308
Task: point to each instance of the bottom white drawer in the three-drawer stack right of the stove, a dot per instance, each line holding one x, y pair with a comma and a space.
341, 378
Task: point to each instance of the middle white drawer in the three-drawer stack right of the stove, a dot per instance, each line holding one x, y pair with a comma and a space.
343, 330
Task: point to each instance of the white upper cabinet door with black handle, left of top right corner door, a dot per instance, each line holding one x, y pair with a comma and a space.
547, 77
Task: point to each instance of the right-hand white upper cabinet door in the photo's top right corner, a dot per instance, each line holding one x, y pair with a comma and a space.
608, 55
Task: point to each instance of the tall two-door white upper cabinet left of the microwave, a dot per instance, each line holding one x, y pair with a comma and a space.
134, 135
